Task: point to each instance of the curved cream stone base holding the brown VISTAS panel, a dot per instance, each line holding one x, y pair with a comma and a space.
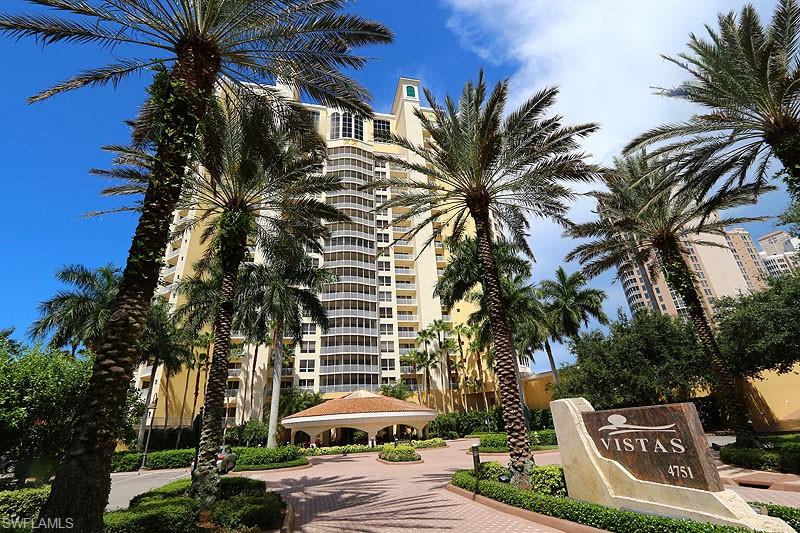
593, 478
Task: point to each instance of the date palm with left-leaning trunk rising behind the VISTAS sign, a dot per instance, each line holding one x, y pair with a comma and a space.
641, 224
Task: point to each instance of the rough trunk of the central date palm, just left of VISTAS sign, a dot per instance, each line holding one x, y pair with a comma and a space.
505, 358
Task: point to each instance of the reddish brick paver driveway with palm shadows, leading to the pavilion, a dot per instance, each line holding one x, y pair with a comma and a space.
357, 493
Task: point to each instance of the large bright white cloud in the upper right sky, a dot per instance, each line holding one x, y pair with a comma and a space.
605, 55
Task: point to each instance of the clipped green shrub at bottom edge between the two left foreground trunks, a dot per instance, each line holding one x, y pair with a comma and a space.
176, 515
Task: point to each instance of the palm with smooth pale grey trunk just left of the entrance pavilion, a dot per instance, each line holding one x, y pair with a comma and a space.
287, 288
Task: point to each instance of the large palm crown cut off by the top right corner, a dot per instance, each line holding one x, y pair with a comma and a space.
744, 78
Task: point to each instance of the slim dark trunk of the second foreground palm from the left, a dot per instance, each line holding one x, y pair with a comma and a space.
206, 479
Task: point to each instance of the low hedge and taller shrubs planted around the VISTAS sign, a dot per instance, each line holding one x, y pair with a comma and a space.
547, 498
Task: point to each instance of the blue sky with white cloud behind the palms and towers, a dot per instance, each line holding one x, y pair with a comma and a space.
603, 53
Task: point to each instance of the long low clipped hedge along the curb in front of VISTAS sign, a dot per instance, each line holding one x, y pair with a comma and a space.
584, 513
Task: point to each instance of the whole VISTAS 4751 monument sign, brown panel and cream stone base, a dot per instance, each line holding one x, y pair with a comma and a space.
650, 459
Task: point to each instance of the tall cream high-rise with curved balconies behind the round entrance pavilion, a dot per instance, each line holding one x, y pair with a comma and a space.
383, 296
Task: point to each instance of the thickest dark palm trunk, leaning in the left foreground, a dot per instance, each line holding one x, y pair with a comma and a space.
83, 481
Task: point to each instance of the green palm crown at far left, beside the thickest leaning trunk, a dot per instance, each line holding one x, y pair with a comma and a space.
77, 316
